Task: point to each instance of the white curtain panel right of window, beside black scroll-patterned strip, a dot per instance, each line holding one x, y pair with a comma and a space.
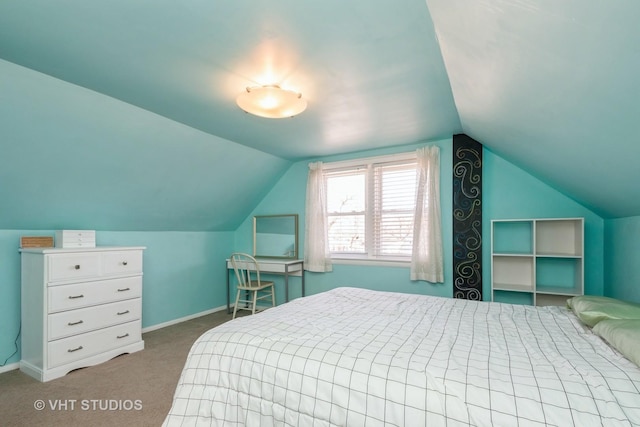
426, 259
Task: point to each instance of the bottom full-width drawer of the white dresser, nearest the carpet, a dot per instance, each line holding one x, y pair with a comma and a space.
78, 347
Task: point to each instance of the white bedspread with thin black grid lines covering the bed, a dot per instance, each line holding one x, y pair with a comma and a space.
356, 357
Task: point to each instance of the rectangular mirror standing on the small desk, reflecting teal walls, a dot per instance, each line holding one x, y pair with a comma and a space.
275, 236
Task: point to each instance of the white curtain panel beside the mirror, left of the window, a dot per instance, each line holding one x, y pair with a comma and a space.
316, 234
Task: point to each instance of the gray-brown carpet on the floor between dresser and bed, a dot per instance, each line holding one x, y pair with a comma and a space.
129, 390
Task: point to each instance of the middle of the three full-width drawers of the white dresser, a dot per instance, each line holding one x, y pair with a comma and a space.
75, 322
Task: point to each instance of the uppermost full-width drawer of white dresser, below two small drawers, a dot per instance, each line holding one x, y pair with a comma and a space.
78, 295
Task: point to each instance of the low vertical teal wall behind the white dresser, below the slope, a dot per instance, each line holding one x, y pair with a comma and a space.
184, 274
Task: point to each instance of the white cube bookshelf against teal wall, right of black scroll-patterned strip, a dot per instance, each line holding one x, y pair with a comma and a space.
541, 257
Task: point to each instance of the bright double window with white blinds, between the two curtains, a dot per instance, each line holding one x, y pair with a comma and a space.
371, 206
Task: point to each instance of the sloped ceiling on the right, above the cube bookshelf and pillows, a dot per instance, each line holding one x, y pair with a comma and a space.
552, 86
